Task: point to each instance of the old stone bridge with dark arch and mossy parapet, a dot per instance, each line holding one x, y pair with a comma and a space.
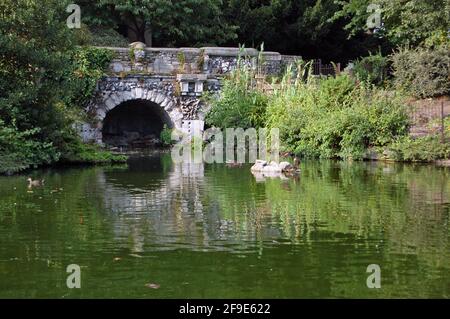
148, 88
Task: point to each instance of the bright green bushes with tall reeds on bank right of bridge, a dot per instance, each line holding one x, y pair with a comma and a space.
326, 118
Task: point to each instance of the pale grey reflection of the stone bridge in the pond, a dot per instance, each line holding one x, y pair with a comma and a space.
158, 211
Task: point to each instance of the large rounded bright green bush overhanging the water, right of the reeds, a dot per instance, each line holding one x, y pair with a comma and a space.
334, 118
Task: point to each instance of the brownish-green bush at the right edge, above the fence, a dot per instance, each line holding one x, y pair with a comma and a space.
423, 72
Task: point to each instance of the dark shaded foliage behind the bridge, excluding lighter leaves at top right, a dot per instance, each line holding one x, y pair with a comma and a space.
289, 26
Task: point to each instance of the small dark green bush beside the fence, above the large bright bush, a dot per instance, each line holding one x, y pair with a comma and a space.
372, 69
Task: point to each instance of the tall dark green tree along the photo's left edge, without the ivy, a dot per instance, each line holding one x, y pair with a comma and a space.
34, 46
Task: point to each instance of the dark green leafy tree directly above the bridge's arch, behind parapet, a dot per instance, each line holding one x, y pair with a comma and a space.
169, 23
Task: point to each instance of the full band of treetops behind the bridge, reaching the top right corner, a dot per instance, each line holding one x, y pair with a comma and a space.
332, 30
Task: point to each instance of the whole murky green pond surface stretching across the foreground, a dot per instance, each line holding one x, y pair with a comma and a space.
210, 231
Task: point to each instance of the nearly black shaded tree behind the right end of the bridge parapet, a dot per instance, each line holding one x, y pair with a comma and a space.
296, 27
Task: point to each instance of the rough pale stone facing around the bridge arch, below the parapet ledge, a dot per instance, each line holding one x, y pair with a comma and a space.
178, 111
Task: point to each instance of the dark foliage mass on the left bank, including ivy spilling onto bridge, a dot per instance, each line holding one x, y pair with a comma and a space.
44, 83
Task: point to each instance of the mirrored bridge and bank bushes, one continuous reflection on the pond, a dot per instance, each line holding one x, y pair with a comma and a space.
190, 206
